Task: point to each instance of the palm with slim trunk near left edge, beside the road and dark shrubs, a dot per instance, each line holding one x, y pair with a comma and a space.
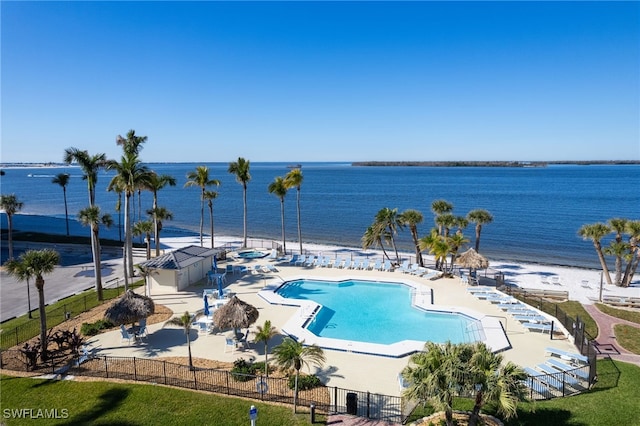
38, 263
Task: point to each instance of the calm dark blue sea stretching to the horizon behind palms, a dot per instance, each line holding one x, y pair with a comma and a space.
537, 211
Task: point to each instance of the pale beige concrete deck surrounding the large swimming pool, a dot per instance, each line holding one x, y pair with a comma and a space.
346, 369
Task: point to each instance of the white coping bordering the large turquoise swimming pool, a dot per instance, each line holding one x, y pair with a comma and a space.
494, 334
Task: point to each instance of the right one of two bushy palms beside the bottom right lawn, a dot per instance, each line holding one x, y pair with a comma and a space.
493, 382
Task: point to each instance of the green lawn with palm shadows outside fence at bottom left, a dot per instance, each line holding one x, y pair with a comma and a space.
106, 403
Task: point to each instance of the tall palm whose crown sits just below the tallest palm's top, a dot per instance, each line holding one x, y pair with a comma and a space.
130, 175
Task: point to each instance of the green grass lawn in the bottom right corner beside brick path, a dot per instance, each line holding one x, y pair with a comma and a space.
612, 401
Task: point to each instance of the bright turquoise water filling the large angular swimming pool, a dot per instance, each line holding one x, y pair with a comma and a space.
375, 312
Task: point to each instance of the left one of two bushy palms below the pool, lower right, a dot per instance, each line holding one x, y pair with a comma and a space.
434, 376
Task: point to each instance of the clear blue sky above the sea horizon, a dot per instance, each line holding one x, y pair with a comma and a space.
339, 81
